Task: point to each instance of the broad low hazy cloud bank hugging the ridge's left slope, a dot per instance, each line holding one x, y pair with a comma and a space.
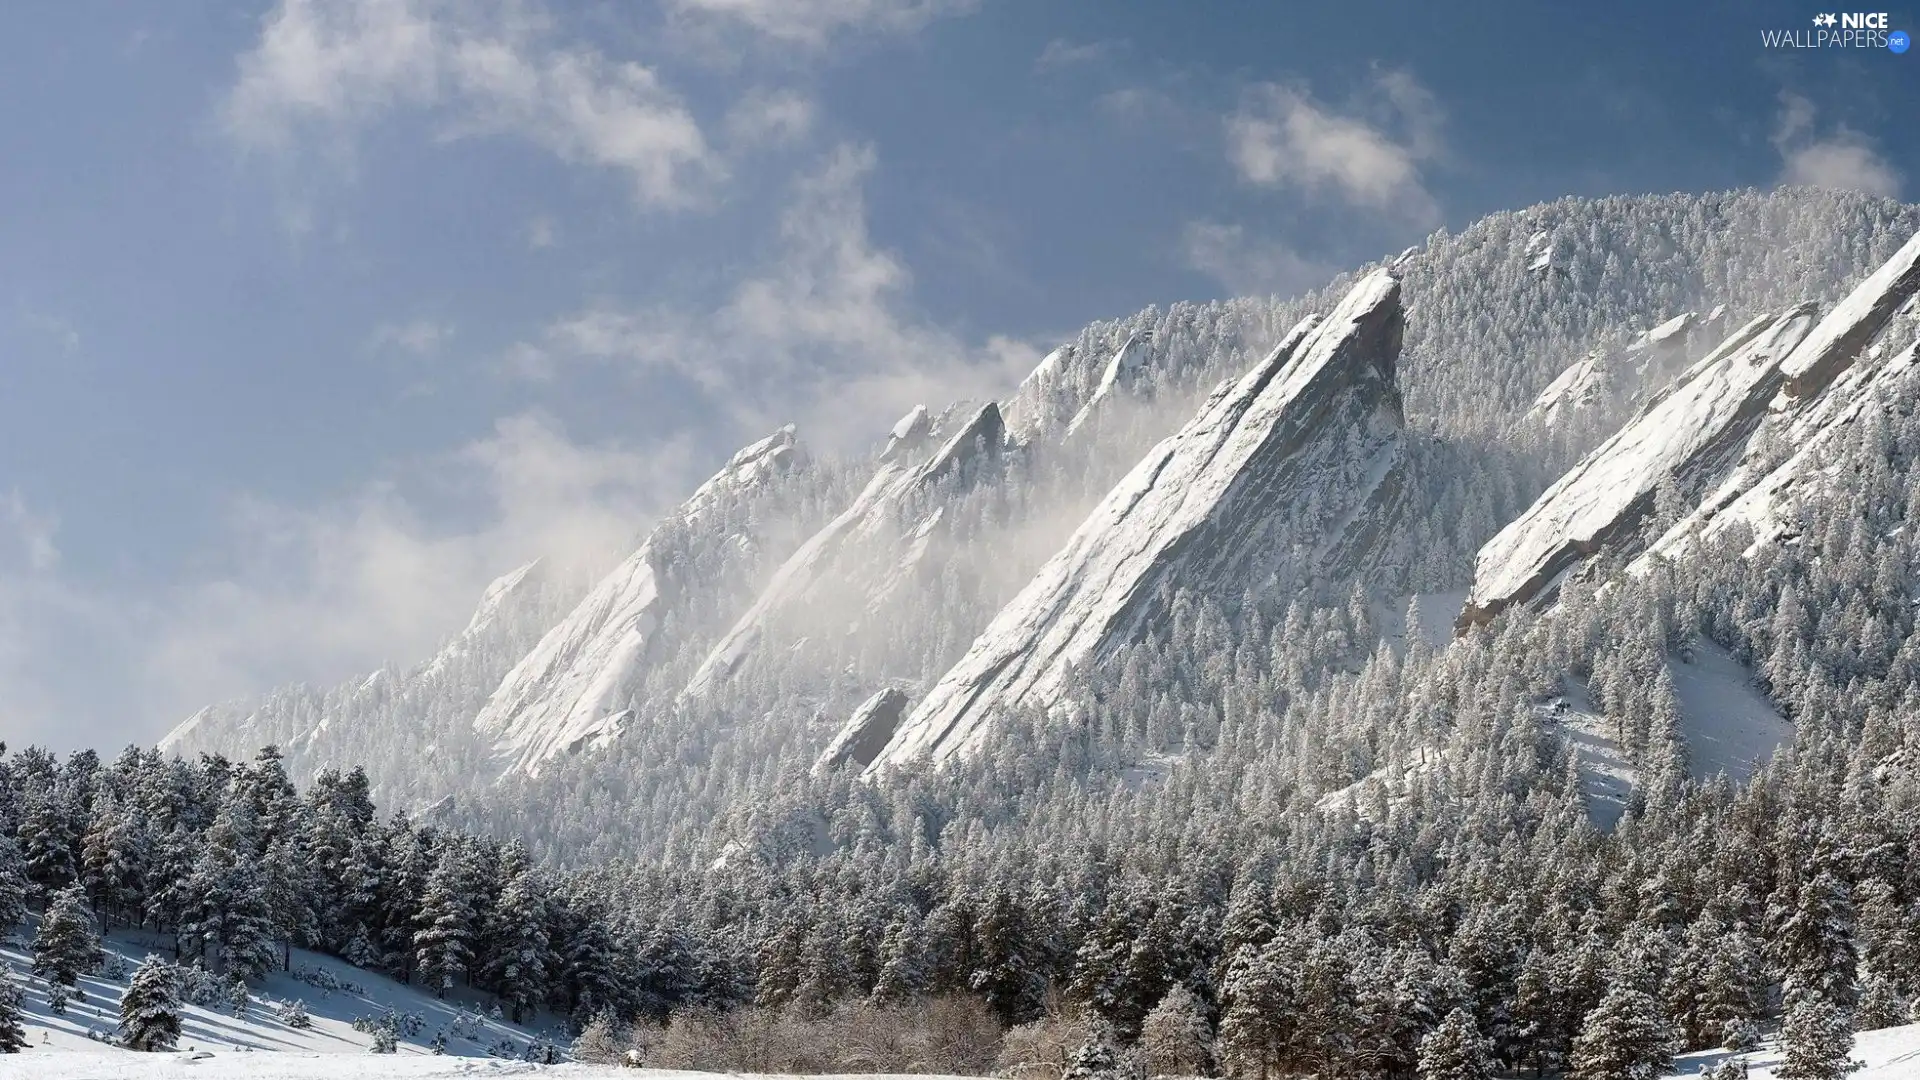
389, 574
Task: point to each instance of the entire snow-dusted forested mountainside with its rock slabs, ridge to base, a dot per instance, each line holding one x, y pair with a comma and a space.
1499, 662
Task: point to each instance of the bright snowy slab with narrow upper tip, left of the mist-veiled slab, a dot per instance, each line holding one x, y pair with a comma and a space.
565, 693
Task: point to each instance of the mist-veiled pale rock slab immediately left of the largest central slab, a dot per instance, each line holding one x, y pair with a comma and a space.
834, 566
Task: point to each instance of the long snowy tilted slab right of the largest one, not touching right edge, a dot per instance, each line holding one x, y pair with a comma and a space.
1691, 430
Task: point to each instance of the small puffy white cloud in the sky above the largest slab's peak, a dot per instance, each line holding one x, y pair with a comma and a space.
1368, 157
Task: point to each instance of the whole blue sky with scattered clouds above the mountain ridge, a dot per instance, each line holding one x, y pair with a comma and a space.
316, 316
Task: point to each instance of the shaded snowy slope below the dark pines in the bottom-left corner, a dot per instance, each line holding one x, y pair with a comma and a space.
333, 993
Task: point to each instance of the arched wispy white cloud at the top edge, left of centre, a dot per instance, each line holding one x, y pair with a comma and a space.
325, 68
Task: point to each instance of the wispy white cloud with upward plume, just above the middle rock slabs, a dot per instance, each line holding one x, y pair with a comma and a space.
823, 333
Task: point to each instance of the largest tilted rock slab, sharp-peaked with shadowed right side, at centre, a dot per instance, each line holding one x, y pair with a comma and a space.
1224, 501
